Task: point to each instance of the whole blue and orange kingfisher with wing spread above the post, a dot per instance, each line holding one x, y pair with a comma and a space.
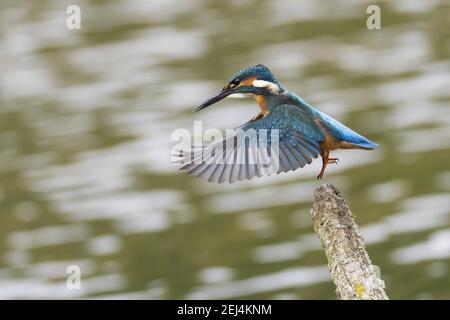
303, 133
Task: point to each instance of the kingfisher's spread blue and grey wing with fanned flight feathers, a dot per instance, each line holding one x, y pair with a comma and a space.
285, 139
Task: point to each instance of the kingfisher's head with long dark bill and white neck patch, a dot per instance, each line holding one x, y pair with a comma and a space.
256, 80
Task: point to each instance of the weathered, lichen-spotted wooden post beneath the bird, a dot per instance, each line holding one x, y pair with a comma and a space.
351, 269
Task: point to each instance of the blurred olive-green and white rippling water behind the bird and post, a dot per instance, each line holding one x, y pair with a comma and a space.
86, 118
